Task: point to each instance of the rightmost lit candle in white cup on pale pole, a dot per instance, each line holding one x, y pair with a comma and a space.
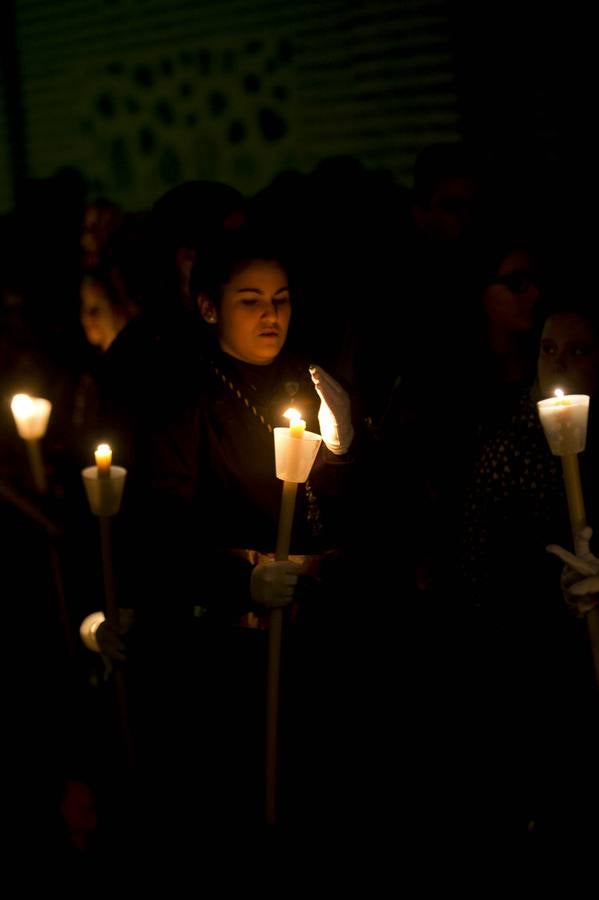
564, 419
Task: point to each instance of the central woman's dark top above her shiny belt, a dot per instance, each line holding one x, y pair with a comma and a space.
213, 485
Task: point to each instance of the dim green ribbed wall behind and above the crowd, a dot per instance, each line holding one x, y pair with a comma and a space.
142, 94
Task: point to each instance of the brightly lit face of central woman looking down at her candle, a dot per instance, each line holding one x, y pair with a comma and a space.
254, 312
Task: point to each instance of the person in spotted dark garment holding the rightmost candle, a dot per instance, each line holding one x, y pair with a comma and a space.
536, 682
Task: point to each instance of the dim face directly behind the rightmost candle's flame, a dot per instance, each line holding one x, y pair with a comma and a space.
568, 355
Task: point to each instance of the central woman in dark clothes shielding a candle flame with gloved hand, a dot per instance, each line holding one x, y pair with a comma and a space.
206, 527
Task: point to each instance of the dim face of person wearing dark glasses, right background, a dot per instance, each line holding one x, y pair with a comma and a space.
510, 298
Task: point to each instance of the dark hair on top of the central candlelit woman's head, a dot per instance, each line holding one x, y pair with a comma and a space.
213, 269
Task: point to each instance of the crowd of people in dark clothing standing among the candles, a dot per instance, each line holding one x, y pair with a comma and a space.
430, 663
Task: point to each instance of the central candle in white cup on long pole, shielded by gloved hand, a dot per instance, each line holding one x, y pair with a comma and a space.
295, 453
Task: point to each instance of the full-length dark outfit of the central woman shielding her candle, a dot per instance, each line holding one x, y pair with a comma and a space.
198, 681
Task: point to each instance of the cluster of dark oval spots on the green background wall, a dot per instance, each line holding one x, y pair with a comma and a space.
218, 113
